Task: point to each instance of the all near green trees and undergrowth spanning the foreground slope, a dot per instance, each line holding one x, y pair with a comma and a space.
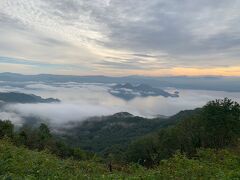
199, 144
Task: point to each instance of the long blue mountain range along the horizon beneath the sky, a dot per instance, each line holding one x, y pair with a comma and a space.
216, 83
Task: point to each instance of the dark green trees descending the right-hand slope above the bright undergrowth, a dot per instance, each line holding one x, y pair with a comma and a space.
216, 126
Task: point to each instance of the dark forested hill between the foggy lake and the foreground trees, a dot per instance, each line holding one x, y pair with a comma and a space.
100, 134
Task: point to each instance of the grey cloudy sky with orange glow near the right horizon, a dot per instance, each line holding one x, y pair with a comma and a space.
120, 37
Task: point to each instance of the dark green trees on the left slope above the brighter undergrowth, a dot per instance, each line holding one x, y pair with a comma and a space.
41, 139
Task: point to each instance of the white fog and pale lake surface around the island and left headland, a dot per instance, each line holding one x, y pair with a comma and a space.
79, 101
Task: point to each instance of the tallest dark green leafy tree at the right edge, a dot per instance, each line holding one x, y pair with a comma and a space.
221, 120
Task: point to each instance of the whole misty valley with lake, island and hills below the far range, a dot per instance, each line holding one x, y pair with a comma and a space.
99, 117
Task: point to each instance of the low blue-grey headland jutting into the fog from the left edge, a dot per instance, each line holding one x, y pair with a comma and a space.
16, 97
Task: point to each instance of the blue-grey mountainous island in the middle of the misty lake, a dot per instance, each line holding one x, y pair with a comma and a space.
128, 91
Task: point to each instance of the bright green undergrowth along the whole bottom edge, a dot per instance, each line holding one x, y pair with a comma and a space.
21, 163
